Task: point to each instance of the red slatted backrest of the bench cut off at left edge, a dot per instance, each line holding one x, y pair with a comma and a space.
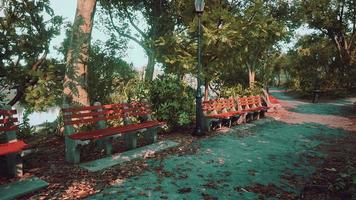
8, 120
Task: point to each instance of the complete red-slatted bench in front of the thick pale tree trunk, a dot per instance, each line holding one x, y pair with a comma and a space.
125, 119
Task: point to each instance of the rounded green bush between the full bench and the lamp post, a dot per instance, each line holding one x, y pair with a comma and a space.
172, 100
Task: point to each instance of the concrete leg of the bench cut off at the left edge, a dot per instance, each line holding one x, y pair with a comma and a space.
14, 165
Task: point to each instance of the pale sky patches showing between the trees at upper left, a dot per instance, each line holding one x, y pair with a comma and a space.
67, 8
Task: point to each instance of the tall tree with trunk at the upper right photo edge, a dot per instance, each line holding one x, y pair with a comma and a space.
336, 20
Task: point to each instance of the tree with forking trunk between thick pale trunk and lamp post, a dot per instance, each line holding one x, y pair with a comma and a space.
142, 22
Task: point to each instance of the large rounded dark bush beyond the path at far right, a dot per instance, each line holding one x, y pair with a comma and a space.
312, 65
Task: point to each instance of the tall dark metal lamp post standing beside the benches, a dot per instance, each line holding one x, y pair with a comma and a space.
199, 8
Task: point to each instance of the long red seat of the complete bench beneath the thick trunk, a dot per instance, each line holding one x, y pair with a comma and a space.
97, 134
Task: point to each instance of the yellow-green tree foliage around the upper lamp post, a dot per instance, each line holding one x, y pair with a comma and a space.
235, 34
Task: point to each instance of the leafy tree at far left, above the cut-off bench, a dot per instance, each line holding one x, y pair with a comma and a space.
24, 44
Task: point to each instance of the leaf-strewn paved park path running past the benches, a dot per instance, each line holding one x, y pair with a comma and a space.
269, 158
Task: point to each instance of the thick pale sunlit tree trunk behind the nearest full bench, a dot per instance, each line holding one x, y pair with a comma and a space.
75, 80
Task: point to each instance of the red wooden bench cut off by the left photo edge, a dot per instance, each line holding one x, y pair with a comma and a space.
10, 147
